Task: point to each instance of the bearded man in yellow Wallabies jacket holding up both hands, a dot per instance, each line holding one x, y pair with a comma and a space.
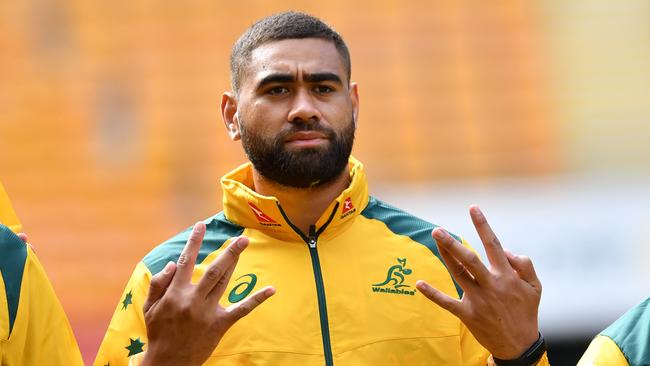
344, 264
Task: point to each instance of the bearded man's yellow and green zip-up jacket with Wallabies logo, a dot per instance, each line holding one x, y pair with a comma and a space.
345, 291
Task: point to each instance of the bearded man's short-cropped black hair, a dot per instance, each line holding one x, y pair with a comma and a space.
277, 27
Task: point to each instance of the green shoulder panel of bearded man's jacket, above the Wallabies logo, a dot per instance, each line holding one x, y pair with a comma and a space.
402, 223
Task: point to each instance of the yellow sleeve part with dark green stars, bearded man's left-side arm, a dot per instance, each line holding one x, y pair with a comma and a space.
127, 334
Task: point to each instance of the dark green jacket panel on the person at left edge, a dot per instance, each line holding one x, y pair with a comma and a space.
12, 265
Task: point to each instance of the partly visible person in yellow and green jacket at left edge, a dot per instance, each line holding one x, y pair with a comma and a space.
34, 329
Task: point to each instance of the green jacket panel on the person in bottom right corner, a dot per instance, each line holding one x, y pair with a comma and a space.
631, 333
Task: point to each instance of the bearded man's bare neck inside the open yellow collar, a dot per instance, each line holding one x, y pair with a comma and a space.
303, 206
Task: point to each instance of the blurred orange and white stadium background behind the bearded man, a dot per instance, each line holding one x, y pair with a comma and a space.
111, 138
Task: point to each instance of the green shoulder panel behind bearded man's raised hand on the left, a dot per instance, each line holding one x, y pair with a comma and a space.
218, 231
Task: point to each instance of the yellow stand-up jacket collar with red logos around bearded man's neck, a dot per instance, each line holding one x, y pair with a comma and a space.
247, 208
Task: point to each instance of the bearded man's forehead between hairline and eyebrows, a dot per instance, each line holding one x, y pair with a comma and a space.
290, 56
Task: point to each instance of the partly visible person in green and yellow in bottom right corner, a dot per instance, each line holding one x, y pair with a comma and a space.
625, 342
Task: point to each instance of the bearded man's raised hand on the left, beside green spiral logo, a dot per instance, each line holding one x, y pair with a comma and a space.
185, 322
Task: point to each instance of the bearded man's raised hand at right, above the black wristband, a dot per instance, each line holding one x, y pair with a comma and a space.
499, 305
